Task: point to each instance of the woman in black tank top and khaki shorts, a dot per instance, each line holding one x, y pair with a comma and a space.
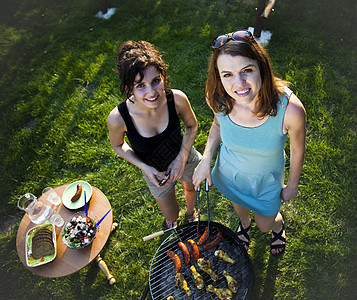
150, 118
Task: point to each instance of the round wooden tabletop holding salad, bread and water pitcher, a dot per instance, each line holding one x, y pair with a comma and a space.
68, 260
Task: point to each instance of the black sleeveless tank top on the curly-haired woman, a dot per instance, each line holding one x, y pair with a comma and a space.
160, 150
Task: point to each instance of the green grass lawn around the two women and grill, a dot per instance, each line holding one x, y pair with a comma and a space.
57, 86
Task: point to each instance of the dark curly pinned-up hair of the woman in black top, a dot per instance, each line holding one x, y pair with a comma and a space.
133, 58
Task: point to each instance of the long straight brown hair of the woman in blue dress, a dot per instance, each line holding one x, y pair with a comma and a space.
271, 87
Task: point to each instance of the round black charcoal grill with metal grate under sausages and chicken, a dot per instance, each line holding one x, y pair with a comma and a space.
162, 271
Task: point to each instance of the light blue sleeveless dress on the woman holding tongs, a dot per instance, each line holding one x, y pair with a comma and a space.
250, 166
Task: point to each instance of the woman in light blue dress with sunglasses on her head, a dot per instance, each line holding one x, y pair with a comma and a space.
254, 111
